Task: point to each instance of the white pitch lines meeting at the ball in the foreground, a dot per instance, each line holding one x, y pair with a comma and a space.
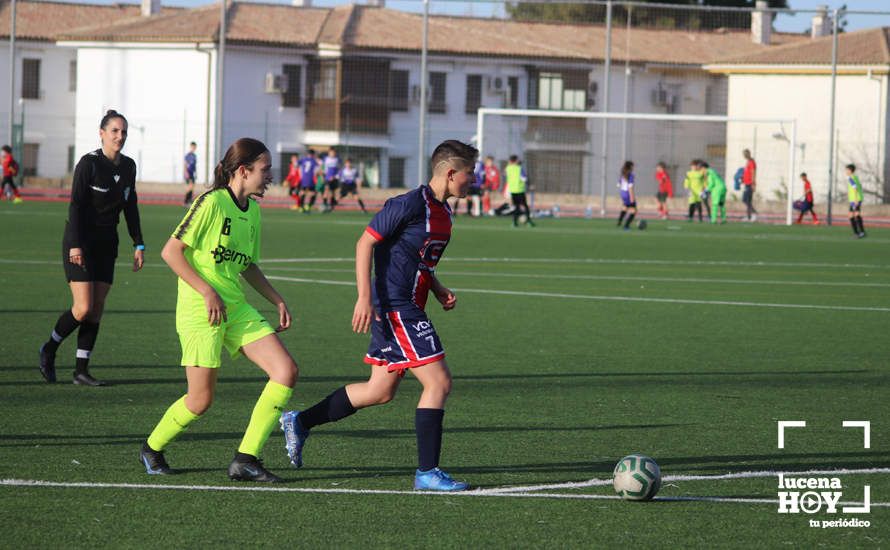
528, 491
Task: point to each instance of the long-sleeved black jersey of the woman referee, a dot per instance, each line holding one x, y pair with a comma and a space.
100, 191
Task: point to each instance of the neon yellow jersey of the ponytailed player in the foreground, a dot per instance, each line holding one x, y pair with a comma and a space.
222, 241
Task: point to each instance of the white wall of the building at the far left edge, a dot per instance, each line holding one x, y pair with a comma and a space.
49, 120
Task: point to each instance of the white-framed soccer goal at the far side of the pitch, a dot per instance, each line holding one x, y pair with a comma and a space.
645, 138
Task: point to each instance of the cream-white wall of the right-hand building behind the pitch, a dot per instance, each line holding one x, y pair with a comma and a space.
860, 121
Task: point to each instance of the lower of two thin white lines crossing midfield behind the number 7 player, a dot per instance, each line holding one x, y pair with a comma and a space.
611, 298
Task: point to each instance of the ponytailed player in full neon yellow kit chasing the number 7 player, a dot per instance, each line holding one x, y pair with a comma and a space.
216, 242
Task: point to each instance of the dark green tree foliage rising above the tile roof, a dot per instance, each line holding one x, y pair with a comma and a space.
661, 15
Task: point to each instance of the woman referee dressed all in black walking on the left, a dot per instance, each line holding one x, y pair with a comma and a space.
104, 185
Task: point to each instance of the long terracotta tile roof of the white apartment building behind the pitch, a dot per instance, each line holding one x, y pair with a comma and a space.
360, 27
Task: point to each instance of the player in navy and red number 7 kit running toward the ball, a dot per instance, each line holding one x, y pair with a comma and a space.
406, 239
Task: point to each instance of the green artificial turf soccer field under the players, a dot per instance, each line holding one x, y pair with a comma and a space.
573, 344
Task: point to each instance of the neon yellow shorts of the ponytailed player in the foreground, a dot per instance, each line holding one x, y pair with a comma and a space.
202, 343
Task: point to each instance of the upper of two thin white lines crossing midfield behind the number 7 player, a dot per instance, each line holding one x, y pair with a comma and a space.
611, 278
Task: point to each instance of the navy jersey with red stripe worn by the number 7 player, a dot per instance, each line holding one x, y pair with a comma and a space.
412, 232
